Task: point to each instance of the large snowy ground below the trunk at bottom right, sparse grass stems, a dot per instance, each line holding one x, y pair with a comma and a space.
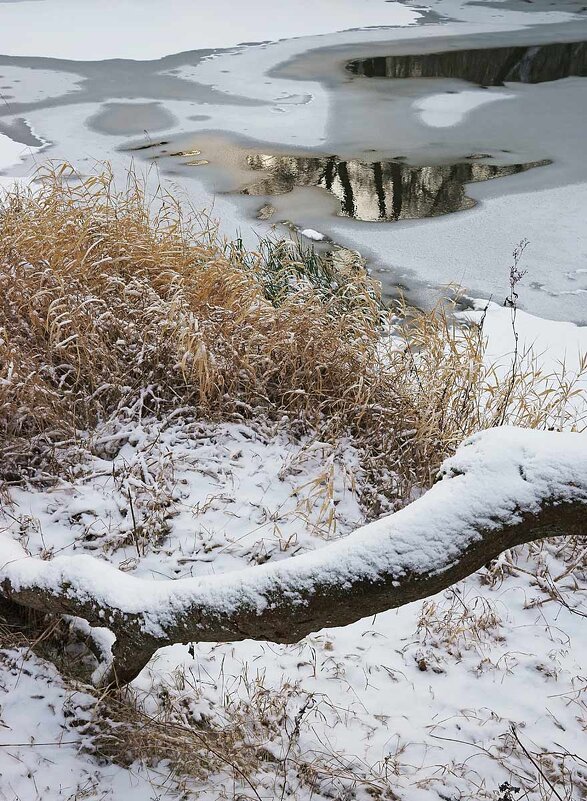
384, 717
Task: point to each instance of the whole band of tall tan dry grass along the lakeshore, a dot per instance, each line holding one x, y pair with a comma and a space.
116, 306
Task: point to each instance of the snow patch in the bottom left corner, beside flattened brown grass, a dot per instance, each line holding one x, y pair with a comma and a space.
44, 744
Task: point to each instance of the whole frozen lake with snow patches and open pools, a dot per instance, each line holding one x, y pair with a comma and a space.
432, 138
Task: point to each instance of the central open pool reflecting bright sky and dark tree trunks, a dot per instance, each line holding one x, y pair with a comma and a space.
382, 190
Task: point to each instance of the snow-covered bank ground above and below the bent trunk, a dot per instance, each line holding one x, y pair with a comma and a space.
421, 703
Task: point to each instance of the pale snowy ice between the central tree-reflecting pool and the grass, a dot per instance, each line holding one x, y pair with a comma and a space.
476, 246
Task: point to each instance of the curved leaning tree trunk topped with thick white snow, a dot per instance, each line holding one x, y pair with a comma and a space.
504, 487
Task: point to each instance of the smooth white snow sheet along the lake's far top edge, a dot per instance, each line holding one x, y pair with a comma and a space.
100, 30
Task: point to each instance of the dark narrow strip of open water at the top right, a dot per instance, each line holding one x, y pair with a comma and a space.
486, 66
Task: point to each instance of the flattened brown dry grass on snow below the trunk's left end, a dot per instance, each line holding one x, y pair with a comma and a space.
252, 743
